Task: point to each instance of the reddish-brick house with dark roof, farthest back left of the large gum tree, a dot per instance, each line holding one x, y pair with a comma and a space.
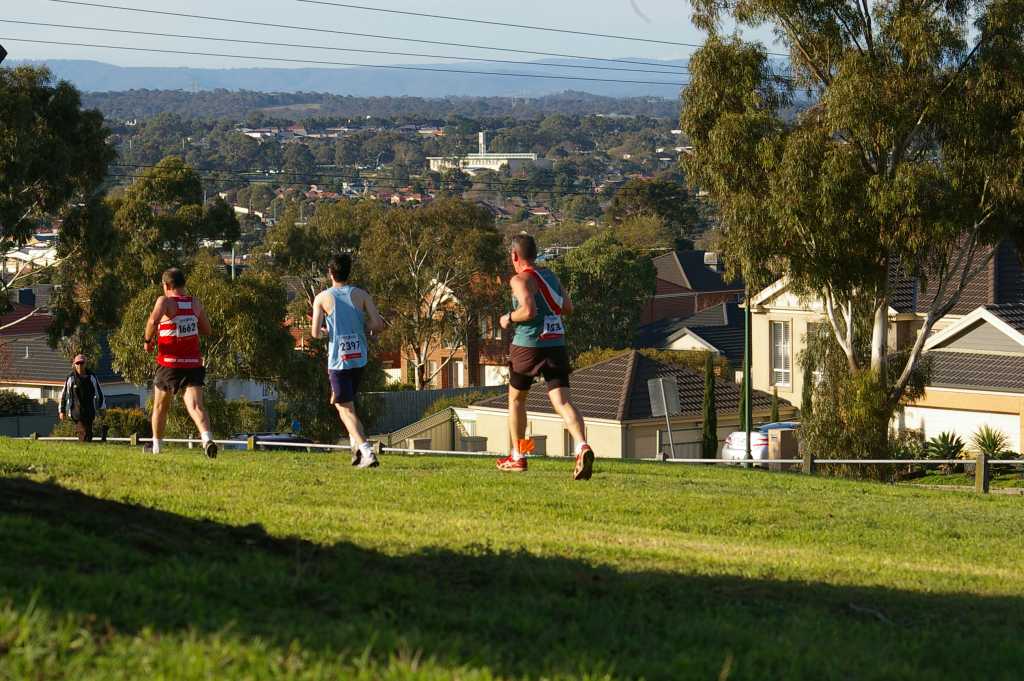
688, 283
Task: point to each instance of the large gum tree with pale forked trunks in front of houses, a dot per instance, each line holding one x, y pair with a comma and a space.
892, 139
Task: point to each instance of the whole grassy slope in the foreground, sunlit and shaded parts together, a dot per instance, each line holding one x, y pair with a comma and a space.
117, 566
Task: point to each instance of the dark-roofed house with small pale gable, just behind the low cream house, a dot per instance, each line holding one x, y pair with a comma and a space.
718, 330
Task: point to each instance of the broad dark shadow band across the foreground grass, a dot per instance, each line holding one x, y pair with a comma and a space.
515, 614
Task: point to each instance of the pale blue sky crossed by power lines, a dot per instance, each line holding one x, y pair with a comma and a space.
662, 20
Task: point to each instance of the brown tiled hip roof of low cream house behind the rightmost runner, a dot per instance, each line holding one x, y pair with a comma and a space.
617, 390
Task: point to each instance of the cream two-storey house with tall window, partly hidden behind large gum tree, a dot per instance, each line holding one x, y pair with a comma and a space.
781, 319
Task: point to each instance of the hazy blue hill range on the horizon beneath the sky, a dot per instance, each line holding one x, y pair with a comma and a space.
100, 77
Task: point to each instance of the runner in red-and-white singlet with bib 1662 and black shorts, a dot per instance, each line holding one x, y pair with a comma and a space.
180, 320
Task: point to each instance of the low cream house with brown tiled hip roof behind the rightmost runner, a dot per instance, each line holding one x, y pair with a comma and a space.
613, 397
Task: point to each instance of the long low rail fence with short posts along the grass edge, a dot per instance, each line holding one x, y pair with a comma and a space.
808, 464
